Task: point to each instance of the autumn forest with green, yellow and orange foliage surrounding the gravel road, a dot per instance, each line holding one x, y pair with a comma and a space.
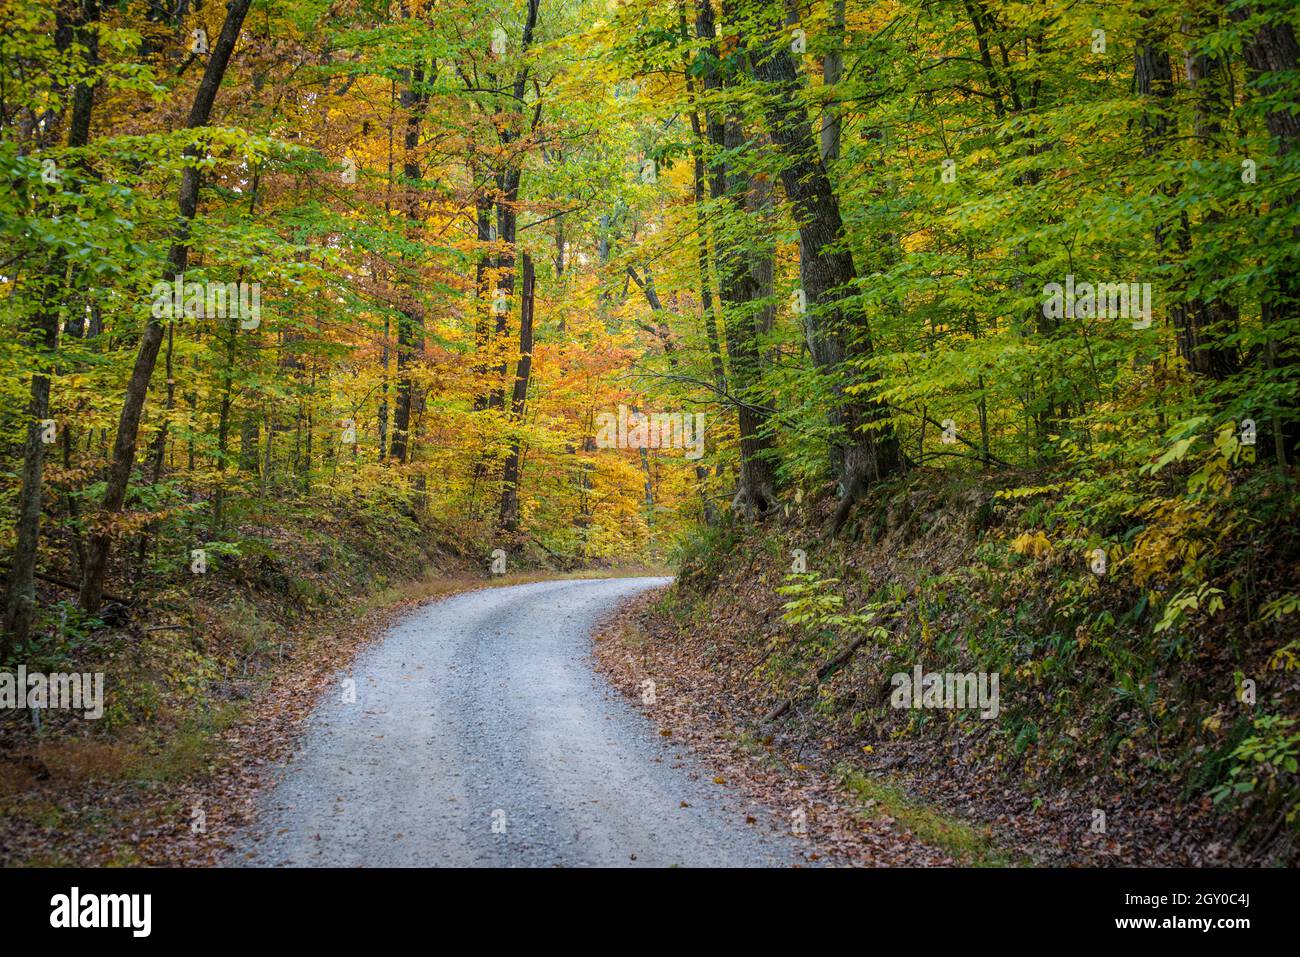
961, 335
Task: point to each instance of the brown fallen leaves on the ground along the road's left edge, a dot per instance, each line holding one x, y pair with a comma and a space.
96, 802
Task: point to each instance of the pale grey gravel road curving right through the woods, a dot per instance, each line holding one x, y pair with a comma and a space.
480, 737
